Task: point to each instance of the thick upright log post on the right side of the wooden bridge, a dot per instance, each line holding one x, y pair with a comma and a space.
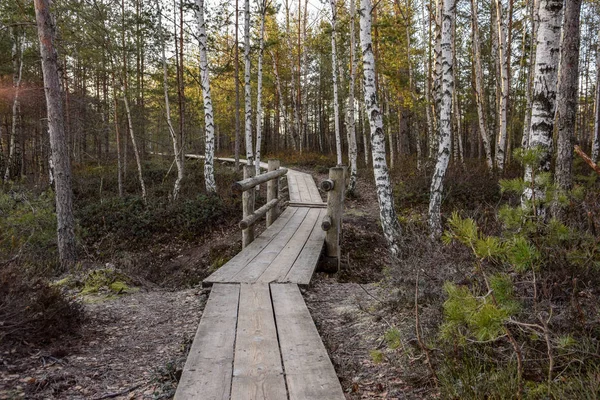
332, 223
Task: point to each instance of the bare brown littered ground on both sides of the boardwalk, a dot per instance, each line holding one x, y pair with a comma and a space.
133, 346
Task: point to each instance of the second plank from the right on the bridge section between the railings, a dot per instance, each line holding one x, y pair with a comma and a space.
281, 265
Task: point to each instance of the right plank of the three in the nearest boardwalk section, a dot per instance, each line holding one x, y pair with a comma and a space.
309, 372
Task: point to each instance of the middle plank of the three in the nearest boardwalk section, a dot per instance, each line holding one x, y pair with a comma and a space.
257, 370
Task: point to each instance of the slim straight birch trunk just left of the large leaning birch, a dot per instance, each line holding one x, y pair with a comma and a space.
352, 150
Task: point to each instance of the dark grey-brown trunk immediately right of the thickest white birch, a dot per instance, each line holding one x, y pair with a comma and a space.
566, 103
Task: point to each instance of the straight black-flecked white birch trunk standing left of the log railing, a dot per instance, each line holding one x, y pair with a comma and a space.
209, 123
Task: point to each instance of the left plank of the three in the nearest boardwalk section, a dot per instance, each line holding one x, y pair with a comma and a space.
208, 370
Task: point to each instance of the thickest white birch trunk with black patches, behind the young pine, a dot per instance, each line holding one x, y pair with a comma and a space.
544, 93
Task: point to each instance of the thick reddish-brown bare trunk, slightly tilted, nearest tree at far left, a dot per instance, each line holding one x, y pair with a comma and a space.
58, 145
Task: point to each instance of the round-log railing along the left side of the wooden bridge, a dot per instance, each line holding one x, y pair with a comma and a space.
247, 188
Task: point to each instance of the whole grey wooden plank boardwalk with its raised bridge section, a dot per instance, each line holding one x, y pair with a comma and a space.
256, 339
